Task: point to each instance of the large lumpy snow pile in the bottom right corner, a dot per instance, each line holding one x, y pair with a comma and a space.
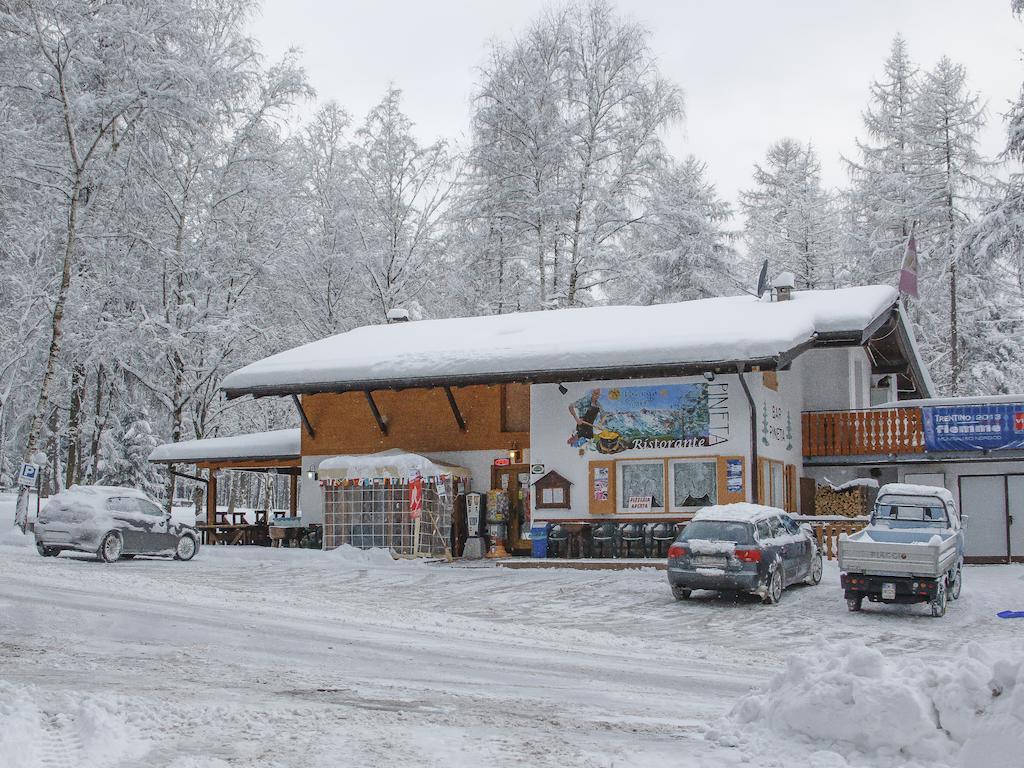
961, 710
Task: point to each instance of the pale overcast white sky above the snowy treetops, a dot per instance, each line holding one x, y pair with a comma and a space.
752, 71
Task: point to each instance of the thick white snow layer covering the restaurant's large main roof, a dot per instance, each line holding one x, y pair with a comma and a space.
570, 345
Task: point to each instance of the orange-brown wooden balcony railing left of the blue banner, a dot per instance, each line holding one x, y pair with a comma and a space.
864, 433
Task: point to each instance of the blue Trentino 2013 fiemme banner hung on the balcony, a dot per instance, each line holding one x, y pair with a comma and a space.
990, 428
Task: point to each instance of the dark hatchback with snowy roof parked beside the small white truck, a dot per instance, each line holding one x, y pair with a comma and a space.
743, 548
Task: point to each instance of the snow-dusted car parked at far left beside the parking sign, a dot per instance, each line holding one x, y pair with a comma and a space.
114, 524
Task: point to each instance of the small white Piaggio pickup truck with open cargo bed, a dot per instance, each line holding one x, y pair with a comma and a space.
912, 550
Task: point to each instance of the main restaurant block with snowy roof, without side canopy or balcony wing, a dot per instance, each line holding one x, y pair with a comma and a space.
647, 412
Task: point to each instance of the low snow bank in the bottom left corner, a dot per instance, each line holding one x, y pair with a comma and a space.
73, 730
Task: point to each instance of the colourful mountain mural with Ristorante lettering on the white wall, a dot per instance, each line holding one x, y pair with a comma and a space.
672, 416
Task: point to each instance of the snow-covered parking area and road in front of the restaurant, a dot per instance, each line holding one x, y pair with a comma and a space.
283, 658
